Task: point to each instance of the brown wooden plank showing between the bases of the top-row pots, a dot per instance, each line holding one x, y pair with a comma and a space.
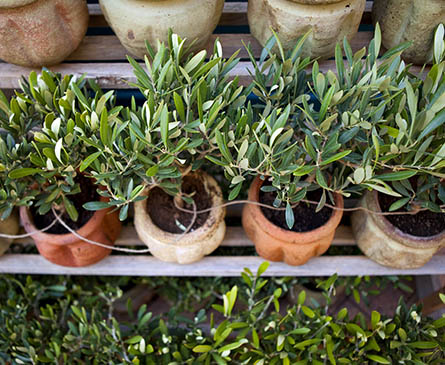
109, 48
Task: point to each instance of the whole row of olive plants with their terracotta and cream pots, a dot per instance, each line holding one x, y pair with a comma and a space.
309, 139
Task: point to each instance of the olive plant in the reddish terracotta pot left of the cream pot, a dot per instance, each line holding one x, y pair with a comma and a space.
65, 118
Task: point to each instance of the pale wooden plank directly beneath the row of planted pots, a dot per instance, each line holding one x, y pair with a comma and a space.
229, 266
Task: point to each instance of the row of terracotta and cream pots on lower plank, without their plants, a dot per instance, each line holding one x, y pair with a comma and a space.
376, 236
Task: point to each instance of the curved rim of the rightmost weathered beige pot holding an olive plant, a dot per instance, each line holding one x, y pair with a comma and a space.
372, 203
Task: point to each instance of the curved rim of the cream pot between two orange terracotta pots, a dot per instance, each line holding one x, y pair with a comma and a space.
216, 215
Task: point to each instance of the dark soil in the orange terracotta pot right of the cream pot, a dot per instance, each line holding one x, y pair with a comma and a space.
306, 218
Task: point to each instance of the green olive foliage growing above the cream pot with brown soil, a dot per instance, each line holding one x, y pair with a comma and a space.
189, 101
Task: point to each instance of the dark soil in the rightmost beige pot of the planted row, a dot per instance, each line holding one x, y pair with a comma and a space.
423, 224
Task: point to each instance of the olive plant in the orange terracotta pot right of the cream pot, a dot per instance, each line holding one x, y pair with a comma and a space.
295, 172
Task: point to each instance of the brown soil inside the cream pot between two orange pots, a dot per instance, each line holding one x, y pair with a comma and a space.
165, 215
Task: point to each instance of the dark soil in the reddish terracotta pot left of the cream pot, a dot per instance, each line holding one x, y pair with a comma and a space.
87, 194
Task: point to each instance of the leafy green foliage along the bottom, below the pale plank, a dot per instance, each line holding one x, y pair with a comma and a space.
67, 321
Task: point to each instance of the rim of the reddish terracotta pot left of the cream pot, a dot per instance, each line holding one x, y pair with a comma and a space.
64, 239
